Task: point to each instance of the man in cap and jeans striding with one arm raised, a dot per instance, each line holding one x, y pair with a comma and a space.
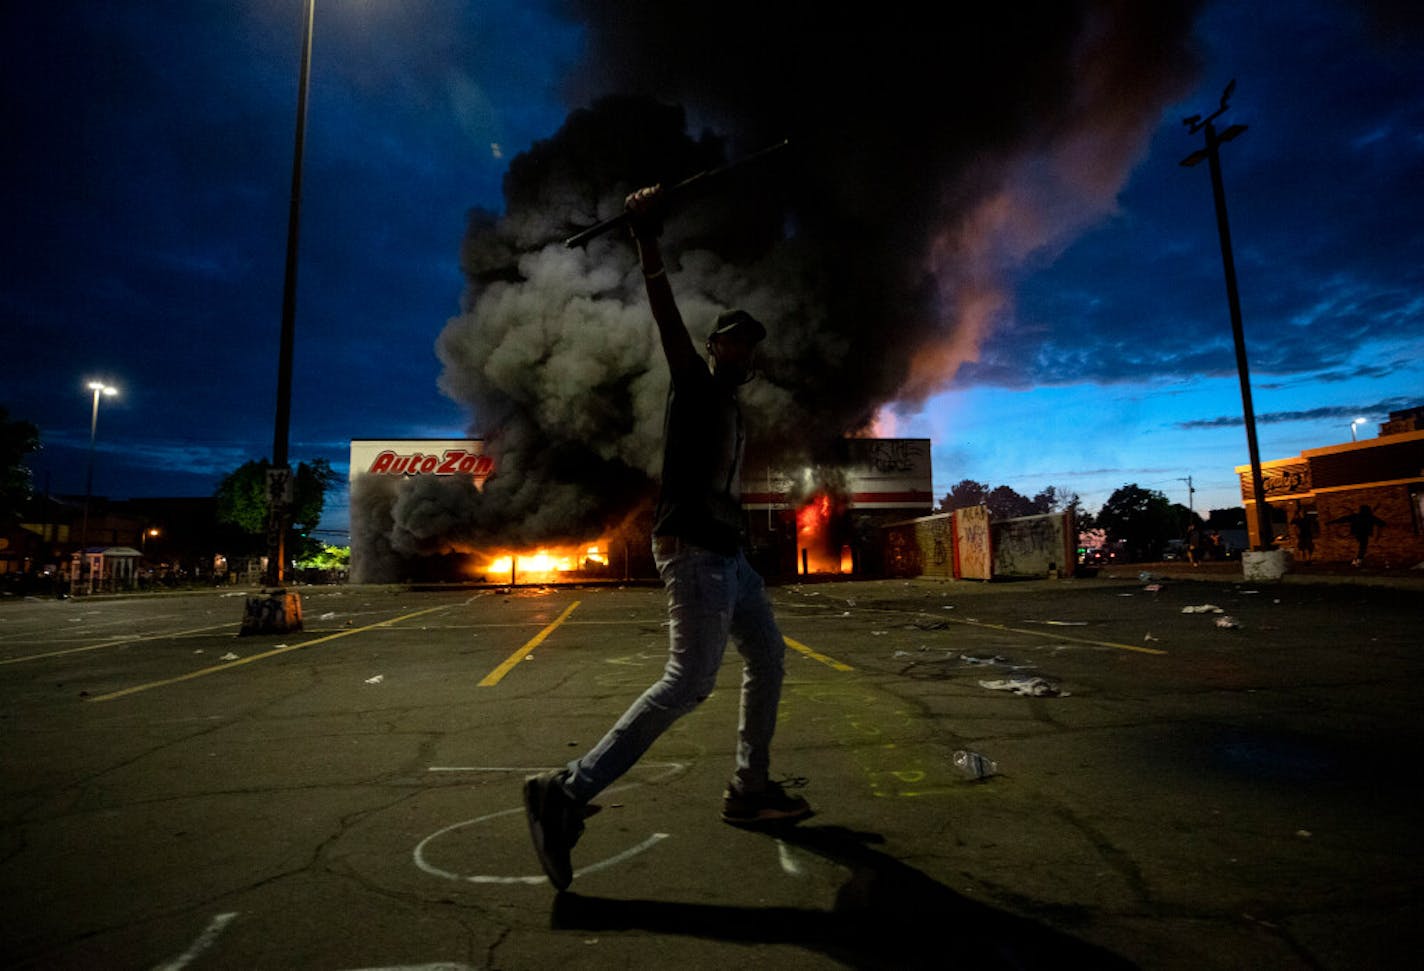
714, 594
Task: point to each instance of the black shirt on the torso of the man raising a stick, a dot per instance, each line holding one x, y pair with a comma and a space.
701, 500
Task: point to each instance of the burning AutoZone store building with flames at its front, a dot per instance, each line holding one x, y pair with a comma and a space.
408, 498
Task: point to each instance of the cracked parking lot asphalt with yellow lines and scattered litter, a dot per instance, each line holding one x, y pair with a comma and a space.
1225, 787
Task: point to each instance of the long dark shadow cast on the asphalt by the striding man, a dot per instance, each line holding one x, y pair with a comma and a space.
886, 916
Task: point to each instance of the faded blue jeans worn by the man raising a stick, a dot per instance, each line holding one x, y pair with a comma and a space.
711, 599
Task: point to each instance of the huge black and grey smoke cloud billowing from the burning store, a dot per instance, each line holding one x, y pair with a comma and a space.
935, 157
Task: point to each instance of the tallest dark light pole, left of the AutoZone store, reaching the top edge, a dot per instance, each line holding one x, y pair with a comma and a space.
280, 479
